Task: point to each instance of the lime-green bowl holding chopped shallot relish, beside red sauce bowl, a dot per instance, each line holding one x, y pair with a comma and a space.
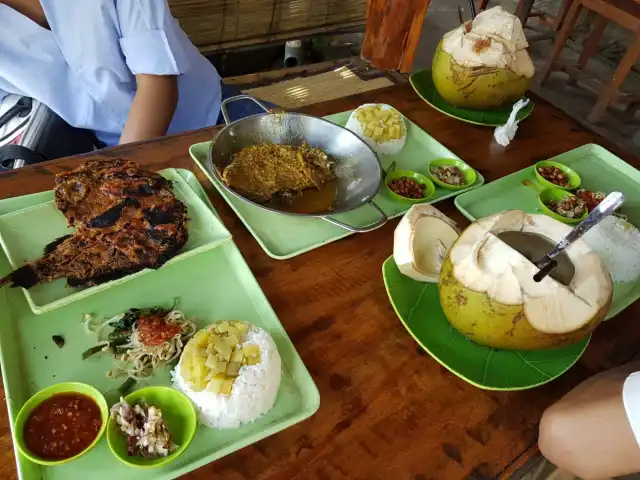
179, 414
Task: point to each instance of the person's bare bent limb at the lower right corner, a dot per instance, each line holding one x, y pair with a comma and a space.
588, 433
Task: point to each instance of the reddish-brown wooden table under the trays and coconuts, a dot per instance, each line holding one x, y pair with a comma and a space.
388, 410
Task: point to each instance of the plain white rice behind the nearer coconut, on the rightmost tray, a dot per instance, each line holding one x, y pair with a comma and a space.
617, 242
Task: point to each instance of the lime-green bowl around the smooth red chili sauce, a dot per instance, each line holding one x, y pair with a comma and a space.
44, 394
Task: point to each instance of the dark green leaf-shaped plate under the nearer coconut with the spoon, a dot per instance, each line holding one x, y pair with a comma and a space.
418, 307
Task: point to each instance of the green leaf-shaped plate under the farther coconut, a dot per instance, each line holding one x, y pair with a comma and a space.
422, 83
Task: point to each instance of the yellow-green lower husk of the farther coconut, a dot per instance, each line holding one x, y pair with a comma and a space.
477, 88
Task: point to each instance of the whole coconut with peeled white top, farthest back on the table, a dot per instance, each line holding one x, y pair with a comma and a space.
483, 63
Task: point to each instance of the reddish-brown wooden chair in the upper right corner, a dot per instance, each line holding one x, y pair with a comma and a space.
625, 13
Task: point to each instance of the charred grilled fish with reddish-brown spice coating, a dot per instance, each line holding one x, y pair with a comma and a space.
126, 219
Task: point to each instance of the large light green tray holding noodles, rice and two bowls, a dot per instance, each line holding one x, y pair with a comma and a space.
212, 285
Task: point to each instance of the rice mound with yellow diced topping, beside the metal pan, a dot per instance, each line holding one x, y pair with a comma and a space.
381, 126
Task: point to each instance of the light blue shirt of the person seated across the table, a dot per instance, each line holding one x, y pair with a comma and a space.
84, 67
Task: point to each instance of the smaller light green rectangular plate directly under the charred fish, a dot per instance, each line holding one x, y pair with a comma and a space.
22, 242
